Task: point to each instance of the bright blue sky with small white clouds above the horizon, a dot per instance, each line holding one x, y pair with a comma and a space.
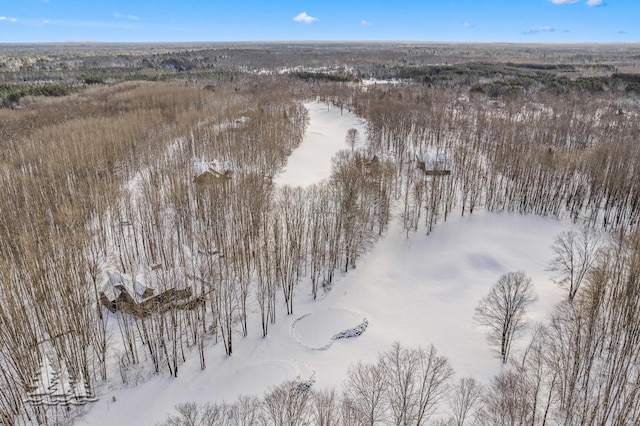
249, 20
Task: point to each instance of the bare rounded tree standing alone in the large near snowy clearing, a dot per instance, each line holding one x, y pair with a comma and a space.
502, 310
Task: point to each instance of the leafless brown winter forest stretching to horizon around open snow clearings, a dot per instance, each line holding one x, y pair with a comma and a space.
140, 222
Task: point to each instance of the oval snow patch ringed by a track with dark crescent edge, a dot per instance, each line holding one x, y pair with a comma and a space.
319, 330
